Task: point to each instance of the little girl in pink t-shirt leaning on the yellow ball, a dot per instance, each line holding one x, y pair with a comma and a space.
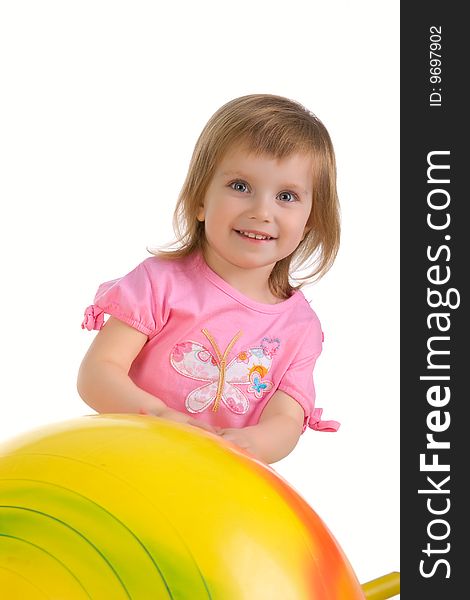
214, 333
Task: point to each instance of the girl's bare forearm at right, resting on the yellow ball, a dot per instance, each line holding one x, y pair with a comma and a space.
276, 434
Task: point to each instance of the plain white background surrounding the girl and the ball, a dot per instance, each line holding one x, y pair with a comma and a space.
101, 105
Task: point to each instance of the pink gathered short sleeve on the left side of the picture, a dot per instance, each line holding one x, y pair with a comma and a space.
130, 299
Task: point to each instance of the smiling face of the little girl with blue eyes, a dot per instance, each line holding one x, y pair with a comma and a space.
256, 209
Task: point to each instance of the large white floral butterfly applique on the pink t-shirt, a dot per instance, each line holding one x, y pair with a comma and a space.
248, 368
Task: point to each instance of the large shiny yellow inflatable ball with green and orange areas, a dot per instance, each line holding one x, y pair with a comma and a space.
126, 506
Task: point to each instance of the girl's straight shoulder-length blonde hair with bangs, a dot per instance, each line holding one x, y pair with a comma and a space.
277, 127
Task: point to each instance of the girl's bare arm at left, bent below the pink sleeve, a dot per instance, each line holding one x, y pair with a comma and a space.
103, 381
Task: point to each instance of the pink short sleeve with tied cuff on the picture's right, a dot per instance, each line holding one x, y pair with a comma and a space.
298, 383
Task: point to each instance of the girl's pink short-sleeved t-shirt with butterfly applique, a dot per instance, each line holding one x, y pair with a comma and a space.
211, 351
